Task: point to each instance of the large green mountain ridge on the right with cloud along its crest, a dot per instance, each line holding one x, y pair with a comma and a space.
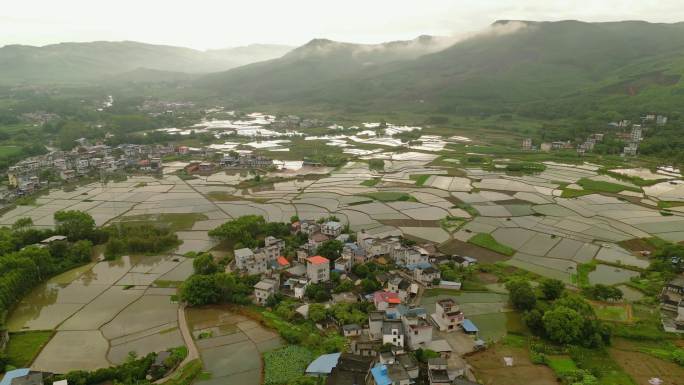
514, 66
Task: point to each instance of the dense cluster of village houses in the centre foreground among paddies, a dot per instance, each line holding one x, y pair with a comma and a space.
378, 348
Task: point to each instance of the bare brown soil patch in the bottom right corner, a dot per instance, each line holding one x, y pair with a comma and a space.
642, 367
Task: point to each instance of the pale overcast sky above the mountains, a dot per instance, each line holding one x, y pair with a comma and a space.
206, 24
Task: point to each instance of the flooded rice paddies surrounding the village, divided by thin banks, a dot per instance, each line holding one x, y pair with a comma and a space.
113, 307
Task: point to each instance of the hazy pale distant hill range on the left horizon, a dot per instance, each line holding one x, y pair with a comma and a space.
95, 61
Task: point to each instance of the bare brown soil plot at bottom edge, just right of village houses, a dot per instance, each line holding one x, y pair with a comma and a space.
489, 368
